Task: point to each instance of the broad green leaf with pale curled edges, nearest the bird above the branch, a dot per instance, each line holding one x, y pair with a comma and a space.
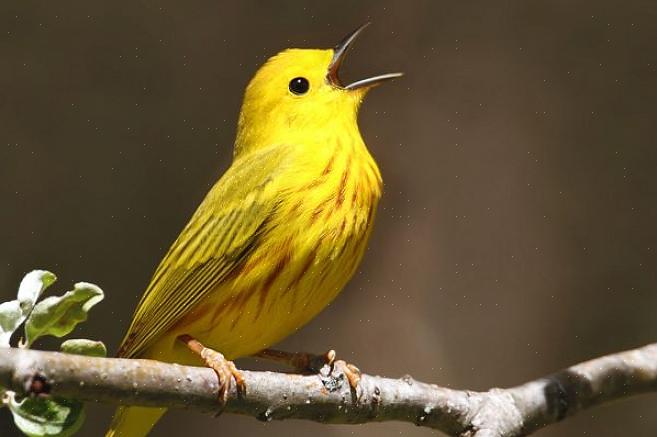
58, 315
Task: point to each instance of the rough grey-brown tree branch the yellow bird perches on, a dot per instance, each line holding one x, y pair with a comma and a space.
328, 398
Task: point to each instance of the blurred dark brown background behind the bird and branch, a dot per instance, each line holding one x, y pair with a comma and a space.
517, 232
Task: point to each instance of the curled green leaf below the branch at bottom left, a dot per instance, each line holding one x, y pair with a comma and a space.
52, 416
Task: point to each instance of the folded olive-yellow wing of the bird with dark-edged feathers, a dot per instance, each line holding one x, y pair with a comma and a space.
220, 235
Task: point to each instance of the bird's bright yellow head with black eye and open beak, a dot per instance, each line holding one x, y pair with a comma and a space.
297, 93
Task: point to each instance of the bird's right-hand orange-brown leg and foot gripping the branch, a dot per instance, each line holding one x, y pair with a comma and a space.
306, 362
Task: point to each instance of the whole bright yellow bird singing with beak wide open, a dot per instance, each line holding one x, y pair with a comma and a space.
276, 238
